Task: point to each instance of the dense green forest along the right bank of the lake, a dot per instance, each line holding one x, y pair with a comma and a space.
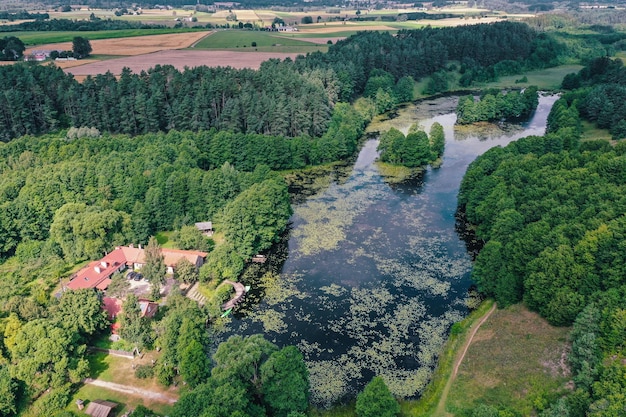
550, 211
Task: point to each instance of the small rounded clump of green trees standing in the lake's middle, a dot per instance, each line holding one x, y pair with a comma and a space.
413, 150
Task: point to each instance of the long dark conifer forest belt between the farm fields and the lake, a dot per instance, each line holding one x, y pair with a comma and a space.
288, 98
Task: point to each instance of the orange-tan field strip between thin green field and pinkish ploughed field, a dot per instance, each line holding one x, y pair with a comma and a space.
133, 46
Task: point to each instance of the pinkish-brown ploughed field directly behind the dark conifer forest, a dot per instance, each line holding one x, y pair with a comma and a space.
179, 59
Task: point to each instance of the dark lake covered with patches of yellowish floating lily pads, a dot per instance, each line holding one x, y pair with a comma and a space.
376, 274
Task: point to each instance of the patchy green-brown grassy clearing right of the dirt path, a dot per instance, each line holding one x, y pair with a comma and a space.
517, 360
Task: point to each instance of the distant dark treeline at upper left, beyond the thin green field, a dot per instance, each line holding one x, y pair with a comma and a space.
51, 25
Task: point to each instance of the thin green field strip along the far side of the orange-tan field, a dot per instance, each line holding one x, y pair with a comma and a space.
43, 38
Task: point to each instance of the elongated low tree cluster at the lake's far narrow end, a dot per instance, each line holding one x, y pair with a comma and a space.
497, 105
